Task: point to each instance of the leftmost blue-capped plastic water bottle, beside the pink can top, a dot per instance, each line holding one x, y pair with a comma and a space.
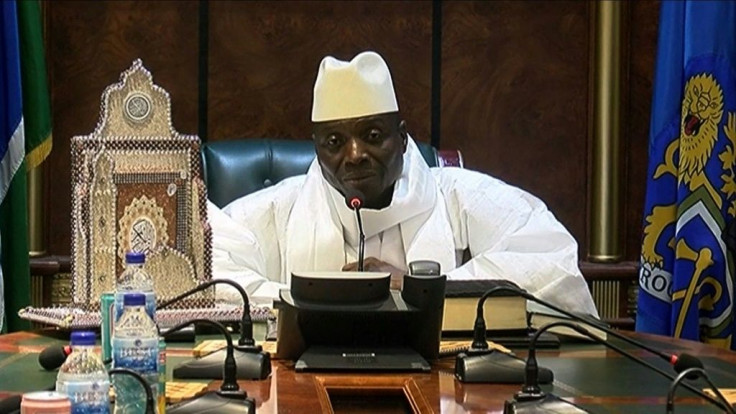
83, 377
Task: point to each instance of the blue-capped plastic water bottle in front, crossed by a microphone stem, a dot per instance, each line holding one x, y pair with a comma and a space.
135, 346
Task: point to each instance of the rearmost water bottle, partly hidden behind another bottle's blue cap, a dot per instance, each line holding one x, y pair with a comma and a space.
135, 279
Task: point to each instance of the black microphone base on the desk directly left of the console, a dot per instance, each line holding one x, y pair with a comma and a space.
252, 366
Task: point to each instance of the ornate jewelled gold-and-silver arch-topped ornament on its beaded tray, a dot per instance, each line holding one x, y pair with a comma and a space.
137, 186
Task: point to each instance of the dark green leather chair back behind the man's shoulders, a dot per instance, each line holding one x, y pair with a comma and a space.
234, 168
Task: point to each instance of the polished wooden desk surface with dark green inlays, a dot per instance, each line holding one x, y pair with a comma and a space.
589, 375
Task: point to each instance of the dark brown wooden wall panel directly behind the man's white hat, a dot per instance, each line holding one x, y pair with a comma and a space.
264, 58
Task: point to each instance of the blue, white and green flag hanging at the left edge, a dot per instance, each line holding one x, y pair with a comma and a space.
25, 143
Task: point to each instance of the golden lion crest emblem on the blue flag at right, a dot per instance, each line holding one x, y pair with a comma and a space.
687, 158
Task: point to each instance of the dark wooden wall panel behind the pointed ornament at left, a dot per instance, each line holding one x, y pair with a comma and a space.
88, 44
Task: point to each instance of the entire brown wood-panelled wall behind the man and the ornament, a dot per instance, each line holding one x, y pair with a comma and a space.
514, 93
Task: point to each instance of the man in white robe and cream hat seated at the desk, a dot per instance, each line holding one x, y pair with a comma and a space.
411, 212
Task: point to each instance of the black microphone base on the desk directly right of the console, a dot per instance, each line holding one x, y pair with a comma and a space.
495, 367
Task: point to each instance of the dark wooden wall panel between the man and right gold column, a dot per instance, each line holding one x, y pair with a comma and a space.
515, 97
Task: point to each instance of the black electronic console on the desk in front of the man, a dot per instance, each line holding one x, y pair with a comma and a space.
352, 321
